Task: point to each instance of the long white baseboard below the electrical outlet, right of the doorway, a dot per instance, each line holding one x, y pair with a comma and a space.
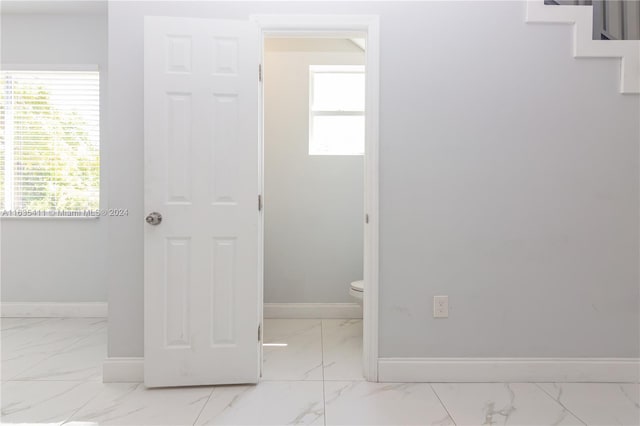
509, 370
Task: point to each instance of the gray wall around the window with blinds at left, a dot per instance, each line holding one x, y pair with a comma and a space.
56, 260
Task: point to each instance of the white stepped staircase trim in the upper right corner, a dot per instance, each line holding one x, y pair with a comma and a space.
583, 44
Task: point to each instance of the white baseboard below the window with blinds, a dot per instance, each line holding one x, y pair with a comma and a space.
53, 310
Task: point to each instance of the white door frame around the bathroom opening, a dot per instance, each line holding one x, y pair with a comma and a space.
343, 26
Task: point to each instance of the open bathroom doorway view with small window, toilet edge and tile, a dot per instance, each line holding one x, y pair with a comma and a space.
314, 216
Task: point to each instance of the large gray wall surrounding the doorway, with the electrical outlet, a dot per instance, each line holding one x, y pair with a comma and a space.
508, 180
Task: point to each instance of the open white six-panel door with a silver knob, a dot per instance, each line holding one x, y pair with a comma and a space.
201, 174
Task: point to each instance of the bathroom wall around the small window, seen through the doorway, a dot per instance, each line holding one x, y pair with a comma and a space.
313, 204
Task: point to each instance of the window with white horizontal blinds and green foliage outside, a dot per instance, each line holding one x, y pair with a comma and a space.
49, 141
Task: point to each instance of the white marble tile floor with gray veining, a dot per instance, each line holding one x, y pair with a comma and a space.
51, 375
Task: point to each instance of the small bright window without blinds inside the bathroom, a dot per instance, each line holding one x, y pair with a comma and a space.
336, 112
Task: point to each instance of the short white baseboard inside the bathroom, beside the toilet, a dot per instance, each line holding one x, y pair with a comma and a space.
313, 310
